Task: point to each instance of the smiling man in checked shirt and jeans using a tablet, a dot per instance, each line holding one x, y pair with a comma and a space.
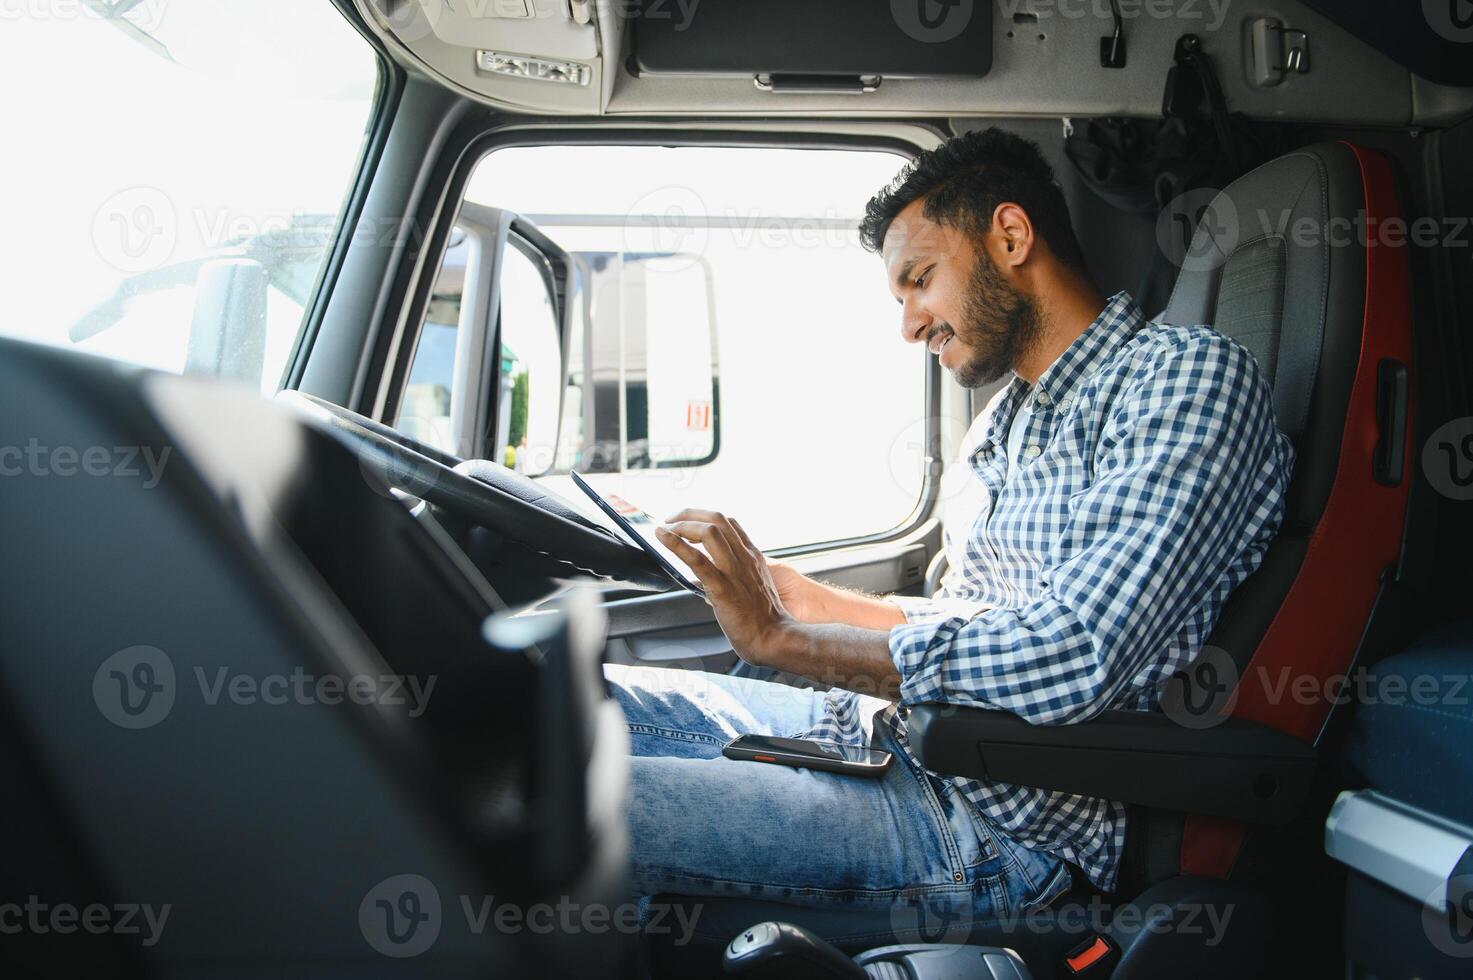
1128, 478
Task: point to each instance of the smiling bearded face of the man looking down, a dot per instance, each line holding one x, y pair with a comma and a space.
955, 300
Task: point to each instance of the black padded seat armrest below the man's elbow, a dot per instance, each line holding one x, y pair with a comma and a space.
1235, 770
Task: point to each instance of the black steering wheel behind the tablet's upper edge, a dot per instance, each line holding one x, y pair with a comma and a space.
485, 494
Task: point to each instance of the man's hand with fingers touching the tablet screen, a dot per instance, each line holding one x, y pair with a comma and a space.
739, 581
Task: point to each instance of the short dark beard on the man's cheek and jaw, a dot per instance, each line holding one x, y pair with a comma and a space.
1001, 325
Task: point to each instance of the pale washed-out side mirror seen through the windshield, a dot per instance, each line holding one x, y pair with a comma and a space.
228, 335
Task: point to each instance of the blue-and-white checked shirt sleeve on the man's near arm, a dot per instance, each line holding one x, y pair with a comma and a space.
1189, 480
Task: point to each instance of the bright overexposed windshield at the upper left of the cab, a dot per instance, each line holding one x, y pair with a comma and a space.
175, 175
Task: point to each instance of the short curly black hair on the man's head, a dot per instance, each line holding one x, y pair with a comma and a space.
963, 183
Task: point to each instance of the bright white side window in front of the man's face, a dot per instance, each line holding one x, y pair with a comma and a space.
731, 344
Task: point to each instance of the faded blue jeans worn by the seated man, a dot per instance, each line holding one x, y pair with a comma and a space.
907, 844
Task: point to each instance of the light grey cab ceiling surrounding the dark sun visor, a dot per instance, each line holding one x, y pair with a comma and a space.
1045, 63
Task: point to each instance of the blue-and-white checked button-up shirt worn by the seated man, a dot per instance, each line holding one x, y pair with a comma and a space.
1150, 483
